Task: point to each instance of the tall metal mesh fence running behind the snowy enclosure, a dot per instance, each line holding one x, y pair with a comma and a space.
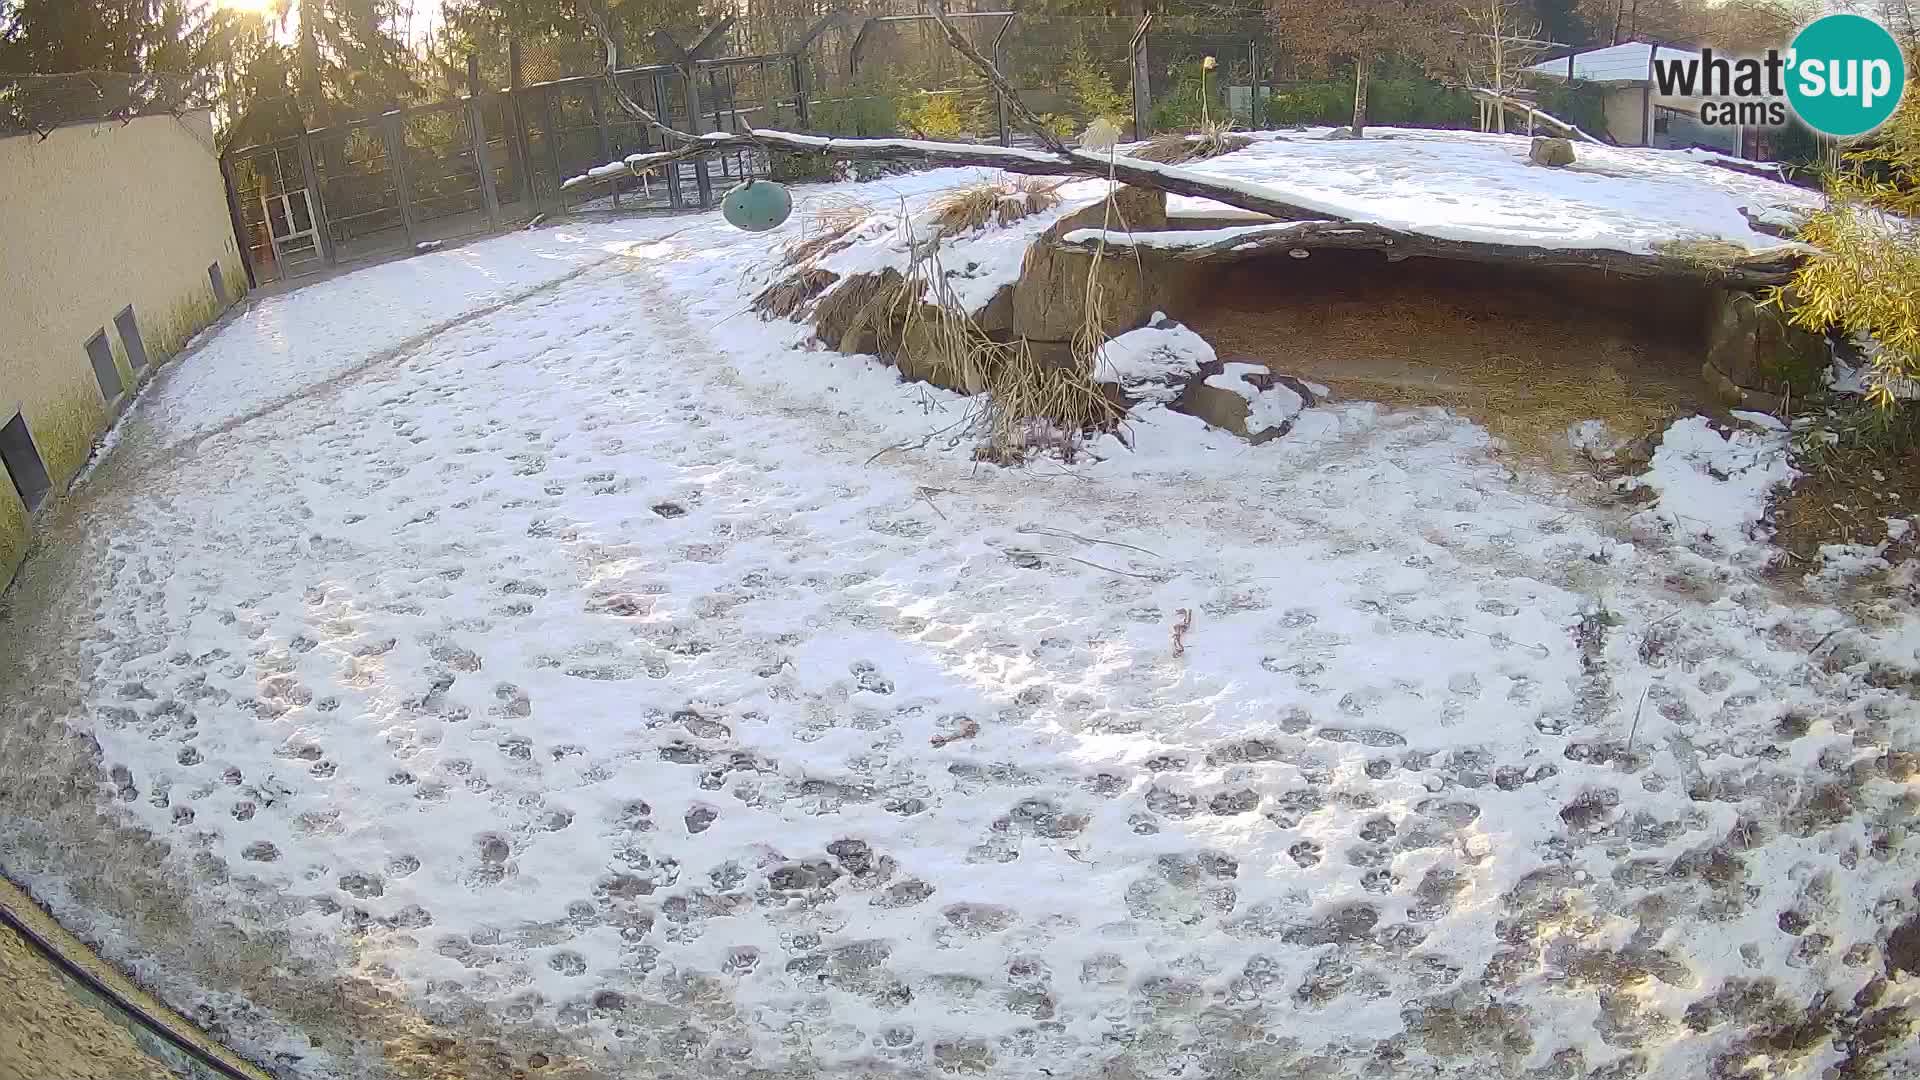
433, 172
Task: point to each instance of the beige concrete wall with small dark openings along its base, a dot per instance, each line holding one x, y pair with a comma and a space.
95, 218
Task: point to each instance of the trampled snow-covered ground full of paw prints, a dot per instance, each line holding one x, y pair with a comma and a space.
529, 641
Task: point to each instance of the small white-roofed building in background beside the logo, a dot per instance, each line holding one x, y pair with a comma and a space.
1635, 109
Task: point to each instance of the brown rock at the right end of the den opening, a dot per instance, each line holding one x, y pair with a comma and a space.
1756, 358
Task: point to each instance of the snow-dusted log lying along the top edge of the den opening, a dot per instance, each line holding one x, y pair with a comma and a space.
1773, 266
